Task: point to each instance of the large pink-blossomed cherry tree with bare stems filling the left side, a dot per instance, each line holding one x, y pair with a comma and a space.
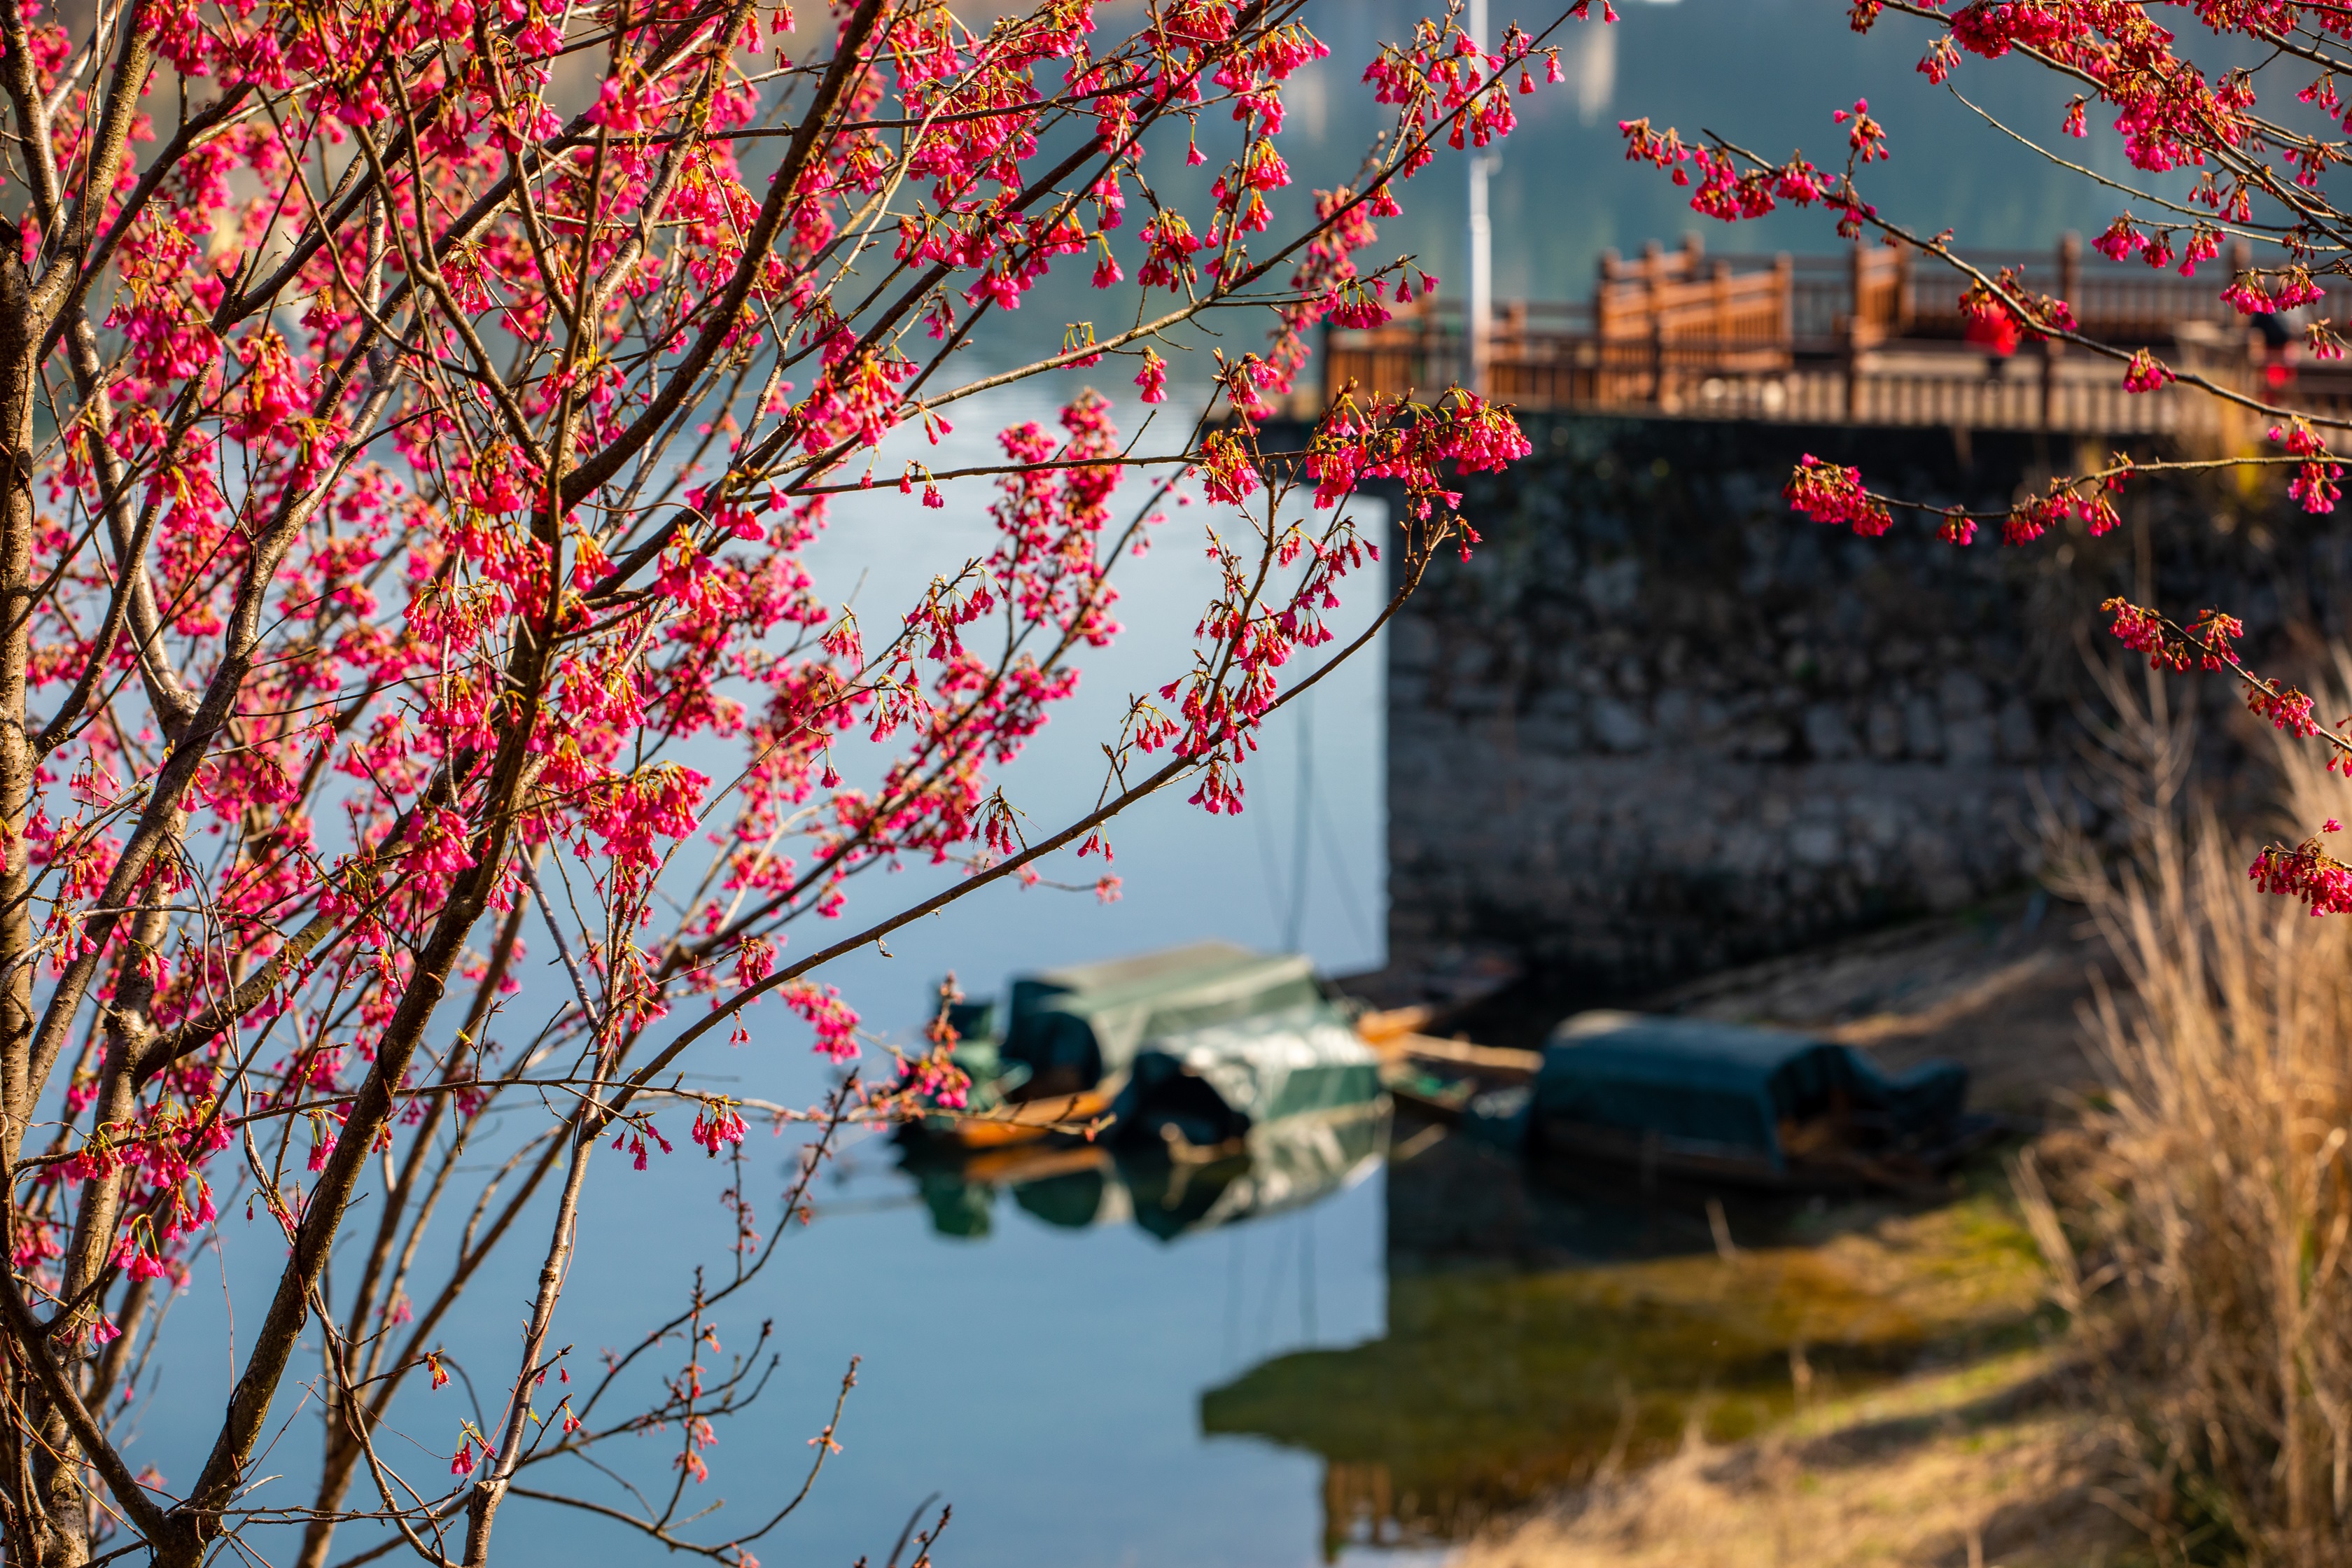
417, 422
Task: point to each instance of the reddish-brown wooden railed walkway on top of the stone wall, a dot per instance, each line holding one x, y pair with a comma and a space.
1871, 340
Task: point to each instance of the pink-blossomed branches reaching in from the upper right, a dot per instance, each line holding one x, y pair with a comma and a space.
2231, 135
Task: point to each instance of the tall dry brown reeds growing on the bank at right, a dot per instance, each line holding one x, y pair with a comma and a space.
2198, 1231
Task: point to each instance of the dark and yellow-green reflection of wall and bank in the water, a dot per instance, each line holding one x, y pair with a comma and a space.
1546, 1325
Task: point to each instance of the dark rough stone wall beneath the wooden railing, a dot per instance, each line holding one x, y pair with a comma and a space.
1659, 723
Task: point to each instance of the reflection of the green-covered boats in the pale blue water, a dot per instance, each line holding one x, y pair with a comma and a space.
1276, 1167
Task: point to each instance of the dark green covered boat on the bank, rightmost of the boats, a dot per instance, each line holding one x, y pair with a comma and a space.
1728, 1101
